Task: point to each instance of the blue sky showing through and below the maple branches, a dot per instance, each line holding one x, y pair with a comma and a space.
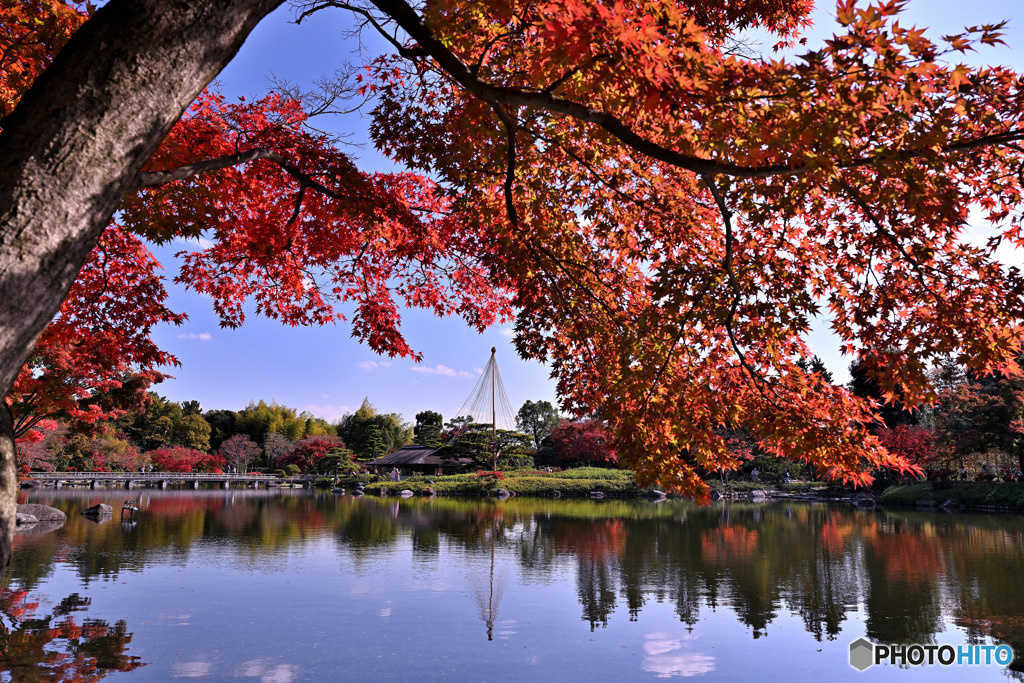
324, 370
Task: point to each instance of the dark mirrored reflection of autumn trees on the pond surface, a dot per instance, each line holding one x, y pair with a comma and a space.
892, 577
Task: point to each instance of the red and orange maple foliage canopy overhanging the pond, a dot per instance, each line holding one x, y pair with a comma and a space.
664, 217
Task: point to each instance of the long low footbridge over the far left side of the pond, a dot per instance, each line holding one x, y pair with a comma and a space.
161, 480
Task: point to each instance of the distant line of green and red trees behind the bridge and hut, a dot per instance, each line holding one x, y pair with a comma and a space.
152, 433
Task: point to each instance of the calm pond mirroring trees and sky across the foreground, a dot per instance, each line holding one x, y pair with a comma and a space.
280, 587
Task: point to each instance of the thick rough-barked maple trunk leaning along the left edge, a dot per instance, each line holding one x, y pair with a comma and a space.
74, 146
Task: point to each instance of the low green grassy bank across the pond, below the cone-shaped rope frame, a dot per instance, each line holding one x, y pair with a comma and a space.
579, 483
